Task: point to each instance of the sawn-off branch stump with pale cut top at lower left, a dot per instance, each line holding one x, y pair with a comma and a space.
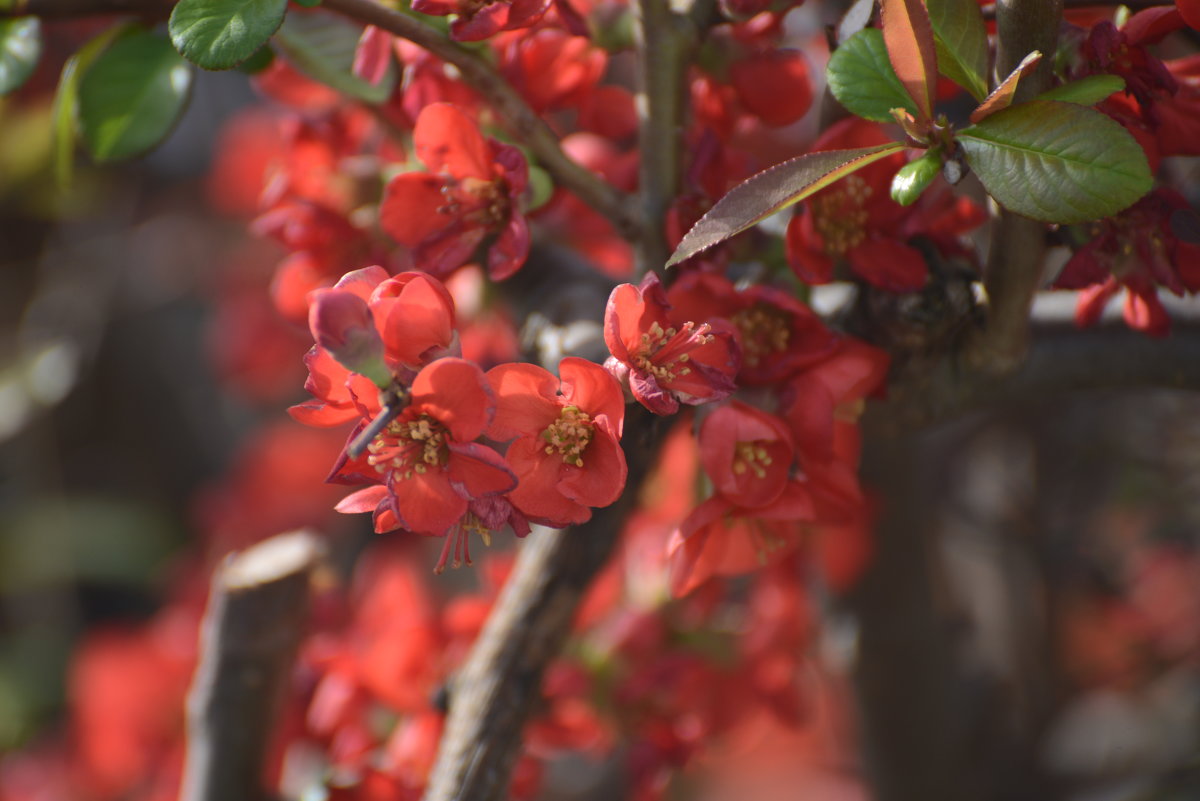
256, 618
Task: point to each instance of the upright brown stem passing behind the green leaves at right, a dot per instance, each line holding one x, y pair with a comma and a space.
1013, 273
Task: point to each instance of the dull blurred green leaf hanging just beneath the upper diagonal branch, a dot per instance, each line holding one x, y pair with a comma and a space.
322, 46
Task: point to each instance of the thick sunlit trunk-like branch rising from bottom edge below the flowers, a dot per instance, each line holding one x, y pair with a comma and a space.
494, 695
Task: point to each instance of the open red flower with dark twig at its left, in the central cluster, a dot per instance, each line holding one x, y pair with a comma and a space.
427, 459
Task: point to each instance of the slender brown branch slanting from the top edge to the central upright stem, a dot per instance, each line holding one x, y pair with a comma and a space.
526, 125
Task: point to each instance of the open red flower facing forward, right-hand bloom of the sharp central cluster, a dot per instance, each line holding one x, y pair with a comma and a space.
567, 455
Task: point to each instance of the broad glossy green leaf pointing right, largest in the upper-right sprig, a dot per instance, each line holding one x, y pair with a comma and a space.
1057, 162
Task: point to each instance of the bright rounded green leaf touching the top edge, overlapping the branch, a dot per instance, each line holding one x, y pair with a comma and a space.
223, 34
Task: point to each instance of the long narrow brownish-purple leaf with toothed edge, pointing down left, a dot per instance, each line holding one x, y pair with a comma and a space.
772, 190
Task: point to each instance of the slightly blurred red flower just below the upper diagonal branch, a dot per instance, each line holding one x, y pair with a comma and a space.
472, 191
